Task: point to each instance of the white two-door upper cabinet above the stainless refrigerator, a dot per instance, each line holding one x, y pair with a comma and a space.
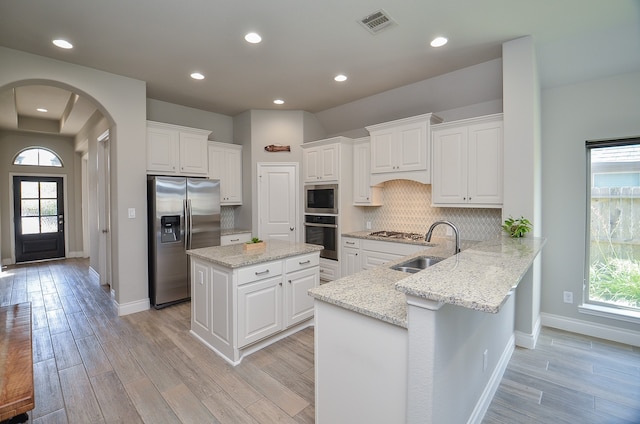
176, 150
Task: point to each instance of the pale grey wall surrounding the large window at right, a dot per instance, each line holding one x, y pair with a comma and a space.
571, 114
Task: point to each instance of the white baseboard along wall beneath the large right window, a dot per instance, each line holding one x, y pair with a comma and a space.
600, 331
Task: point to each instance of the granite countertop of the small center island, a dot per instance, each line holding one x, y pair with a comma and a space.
234, 256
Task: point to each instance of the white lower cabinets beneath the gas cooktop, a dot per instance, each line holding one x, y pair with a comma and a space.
361, 254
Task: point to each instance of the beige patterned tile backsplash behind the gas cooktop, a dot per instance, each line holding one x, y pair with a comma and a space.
407, 207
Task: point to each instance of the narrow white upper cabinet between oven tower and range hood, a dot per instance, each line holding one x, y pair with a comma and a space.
363, 193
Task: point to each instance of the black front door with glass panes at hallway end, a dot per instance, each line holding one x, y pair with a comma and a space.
39, 217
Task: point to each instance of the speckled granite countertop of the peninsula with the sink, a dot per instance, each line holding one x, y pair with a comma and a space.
479, 278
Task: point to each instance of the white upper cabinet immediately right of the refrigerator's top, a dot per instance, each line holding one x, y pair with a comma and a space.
225, 164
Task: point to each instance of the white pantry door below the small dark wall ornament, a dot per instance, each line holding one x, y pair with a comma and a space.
278, 201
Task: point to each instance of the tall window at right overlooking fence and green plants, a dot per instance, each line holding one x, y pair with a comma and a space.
613, 225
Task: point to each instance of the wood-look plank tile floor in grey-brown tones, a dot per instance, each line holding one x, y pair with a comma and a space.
92, 366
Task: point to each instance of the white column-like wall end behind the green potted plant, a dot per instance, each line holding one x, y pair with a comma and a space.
521, 102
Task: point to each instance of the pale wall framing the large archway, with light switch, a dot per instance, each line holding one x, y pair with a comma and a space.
123, 101
